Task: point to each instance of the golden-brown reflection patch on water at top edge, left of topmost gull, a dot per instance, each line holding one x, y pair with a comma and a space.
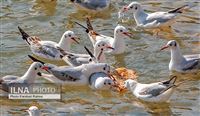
46, 6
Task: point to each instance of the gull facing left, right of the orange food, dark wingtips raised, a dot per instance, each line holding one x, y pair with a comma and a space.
153, 92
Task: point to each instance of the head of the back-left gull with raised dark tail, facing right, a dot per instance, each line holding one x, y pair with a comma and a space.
70, 36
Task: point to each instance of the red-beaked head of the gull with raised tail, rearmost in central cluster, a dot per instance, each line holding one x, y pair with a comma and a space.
121, 32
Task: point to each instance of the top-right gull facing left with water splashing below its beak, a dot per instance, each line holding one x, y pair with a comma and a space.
151, 20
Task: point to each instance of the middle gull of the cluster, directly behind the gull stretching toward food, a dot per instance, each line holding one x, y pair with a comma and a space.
78, 59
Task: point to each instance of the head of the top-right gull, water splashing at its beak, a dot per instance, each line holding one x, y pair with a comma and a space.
132, 7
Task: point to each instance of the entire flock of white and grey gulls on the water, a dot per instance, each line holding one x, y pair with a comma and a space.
91, 68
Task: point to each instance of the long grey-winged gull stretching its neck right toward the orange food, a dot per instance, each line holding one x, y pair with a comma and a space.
72, 75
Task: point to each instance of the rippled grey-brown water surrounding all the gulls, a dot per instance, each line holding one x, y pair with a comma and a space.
48, 19
